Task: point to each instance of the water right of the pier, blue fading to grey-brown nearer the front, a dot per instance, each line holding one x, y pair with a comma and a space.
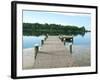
80, 50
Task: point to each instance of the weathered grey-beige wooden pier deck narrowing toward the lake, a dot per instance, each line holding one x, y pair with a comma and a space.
53, 54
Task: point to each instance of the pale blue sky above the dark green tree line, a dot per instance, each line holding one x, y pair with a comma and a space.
57, 18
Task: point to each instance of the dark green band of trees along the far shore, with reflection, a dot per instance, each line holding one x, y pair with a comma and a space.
52, 29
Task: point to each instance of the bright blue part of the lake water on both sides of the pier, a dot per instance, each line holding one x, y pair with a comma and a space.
31, 41
